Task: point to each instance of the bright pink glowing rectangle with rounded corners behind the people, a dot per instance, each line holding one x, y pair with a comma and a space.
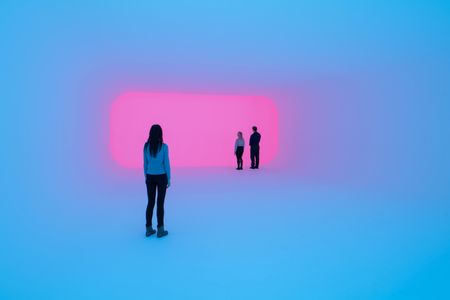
199, 129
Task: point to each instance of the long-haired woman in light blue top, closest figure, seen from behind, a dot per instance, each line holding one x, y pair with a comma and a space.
157, 177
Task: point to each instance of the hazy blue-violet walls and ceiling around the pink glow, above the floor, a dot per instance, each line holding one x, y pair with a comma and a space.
363, 87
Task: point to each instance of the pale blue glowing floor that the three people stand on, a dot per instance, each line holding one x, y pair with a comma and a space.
247, 235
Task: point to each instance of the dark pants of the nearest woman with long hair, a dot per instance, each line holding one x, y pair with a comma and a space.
154, 182
